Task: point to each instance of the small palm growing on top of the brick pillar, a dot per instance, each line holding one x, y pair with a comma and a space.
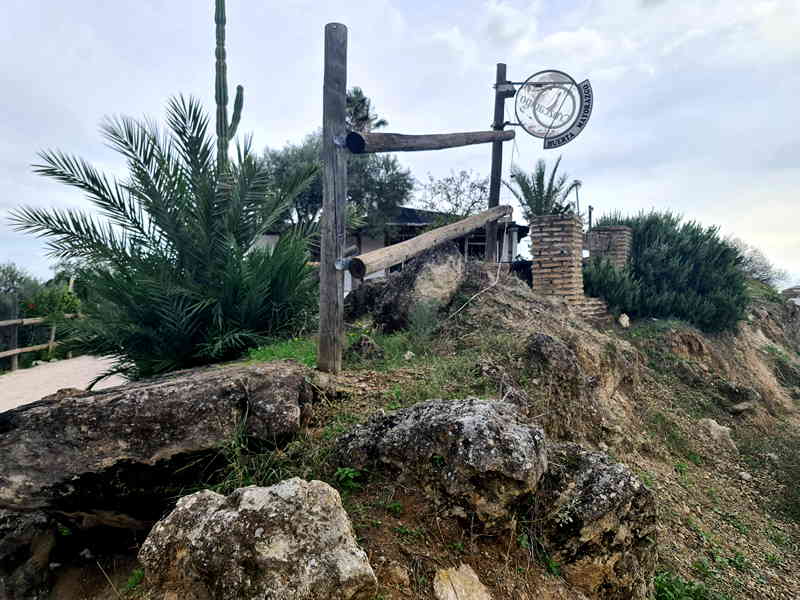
539, 198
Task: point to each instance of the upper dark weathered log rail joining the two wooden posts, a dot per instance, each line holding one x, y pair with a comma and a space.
368, 143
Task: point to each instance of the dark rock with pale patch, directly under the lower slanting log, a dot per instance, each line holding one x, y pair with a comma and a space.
426, 283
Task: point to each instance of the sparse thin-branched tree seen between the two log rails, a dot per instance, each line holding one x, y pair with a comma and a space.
457, 195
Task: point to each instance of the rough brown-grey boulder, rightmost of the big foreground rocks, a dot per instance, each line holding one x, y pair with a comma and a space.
600, 526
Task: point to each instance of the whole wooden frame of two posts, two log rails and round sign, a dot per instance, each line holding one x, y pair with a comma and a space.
544, 97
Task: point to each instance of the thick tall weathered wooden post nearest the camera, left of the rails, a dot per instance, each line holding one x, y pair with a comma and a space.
334, 198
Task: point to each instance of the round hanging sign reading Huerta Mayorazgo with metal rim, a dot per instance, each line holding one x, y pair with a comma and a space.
550, 105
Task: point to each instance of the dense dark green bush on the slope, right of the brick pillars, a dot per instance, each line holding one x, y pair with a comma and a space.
683, 270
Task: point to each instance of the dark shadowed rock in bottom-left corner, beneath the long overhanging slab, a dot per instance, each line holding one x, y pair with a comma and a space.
26, 540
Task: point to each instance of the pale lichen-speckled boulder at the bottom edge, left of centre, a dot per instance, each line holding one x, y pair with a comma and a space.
291, 541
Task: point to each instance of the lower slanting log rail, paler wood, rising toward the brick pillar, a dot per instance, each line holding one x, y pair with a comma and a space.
364, 264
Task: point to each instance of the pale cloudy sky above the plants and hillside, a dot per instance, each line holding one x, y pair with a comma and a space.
696, 103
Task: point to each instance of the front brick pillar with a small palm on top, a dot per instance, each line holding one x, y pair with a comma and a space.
556, 249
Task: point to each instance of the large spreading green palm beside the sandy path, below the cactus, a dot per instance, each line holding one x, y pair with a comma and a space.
177, 279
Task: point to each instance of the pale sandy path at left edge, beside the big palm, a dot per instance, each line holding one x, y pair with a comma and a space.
29, 385
